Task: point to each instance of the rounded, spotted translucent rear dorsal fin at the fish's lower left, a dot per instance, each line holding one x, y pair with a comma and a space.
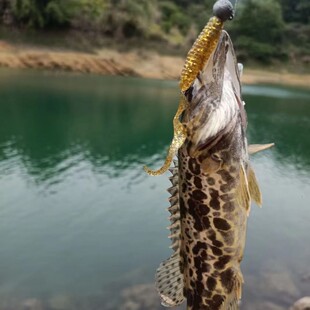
169, 281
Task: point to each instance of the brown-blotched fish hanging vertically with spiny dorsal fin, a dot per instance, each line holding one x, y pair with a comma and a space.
213, 184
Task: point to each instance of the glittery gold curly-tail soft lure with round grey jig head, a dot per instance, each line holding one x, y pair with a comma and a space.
196, 58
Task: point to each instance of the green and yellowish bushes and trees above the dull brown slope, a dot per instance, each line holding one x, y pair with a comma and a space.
262, 30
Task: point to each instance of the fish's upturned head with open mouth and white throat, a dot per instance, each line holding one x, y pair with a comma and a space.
214, 98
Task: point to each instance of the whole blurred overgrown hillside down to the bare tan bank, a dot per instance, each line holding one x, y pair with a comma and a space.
265, 32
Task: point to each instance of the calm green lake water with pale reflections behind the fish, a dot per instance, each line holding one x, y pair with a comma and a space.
83, 227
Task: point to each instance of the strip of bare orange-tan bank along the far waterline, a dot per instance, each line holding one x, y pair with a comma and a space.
138, 63
